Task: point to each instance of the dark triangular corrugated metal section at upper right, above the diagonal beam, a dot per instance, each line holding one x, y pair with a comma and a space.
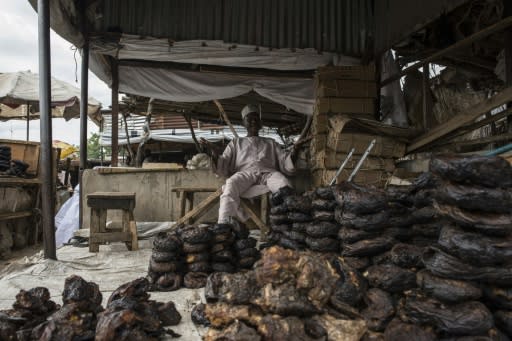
396, 19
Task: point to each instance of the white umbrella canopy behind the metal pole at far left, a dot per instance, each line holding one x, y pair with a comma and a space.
19, 89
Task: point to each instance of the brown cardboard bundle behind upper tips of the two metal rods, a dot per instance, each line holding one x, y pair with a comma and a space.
384, 147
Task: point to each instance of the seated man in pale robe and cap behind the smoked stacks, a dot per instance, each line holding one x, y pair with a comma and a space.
249, 161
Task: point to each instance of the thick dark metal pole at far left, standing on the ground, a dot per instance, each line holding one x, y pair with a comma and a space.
48, 181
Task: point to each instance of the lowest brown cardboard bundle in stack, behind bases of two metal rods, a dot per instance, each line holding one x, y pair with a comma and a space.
363, 177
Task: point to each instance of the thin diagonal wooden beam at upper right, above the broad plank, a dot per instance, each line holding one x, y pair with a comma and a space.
500, 25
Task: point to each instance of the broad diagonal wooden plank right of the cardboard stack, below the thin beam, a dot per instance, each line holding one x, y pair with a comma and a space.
462, 119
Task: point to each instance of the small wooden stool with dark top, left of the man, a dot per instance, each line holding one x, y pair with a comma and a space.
100, 202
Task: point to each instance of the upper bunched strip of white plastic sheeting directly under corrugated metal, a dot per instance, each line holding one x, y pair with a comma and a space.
215, 52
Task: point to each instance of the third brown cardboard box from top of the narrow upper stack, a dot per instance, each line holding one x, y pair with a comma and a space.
362, 106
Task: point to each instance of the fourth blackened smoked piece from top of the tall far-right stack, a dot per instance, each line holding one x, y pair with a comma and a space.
475, 248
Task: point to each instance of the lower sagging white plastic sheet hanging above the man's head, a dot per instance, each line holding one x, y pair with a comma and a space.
189, 86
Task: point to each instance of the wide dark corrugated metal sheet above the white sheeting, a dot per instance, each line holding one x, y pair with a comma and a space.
326, 25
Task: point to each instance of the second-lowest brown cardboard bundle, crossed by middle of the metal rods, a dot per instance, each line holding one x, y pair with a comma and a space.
328, 159
